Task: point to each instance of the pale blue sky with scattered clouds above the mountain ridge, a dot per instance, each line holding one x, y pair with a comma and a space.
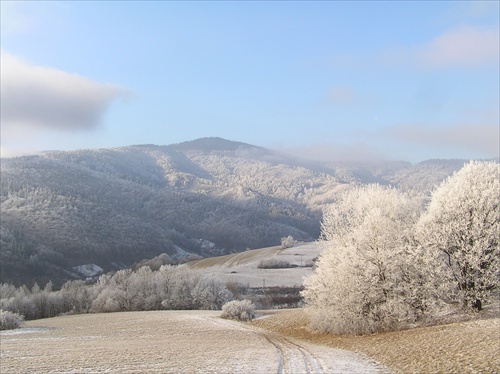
394, 80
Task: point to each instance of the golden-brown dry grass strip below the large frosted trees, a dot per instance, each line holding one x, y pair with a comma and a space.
463, 347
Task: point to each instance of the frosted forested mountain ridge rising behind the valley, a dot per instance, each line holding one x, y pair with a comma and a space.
116, 207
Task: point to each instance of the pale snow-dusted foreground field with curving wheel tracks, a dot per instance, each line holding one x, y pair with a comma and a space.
165, 342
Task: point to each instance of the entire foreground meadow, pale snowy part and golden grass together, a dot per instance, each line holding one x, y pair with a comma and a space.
202, 342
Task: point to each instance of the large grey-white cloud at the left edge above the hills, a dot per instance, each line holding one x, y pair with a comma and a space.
41, 97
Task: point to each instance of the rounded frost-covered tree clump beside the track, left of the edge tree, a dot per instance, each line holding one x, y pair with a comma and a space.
366, 278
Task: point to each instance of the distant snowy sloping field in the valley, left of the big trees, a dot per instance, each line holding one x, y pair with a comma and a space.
243, 267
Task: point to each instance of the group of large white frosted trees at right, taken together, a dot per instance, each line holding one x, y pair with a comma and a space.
387, 263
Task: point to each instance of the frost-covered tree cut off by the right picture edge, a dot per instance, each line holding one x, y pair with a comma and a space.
462, 224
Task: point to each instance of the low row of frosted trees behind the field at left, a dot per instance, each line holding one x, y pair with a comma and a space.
170, 287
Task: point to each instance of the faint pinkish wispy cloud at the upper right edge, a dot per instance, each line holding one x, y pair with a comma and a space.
463, 47
